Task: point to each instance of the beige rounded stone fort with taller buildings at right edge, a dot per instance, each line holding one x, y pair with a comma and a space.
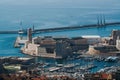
110, 46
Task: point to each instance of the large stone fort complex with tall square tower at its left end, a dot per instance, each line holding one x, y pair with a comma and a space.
57, 47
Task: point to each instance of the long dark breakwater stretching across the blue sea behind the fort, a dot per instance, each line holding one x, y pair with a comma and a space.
63, 28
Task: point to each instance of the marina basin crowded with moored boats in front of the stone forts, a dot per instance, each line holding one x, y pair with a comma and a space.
74, 69
